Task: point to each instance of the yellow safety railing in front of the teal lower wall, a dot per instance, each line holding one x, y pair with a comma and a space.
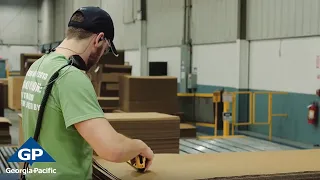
226, 108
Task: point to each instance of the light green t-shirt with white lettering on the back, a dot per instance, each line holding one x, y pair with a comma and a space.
72, 100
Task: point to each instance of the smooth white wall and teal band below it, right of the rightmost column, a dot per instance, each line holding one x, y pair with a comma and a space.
286, 65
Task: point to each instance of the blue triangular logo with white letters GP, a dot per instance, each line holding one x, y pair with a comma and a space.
31, 152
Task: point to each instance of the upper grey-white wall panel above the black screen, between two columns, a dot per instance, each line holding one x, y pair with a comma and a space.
165, 22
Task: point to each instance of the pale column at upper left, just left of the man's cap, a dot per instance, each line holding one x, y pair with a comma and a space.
46, 21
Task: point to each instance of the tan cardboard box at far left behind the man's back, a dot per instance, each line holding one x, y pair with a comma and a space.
14, 92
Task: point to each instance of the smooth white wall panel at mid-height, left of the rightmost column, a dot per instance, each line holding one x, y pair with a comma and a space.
213, 60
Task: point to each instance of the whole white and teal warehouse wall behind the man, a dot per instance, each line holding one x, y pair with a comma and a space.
276, 53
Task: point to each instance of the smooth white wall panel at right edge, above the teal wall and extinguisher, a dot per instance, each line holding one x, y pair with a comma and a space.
293, 63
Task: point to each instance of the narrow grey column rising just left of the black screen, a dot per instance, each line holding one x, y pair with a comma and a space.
143, 49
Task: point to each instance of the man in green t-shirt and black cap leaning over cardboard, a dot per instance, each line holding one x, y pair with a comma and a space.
73, 122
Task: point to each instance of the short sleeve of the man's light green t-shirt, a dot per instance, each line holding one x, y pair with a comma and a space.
77, 98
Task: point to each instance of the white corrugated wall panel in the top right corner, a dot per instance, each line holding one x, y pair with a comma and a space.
268, 19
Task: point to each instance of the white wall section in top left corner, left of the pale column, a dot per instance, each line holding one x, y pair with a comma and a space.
18, 30
